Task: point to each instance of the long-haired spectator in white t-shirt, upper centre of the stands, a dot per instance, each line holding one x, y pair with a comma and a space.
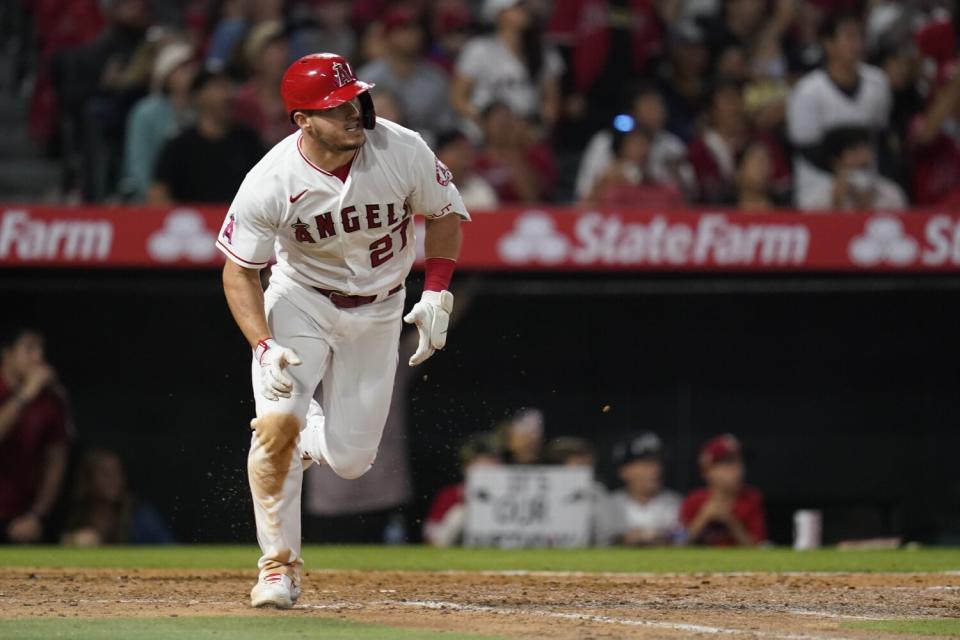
512, 66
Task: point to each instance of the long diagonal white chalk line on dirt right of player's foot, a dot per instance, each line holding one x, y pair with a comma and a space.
671, 626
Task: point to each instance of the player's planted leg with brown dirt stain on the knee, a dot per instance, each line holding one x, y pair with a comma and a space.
274, 468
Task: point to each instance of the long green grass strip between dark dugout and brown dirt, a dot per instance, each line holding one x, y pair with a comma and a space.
417, 558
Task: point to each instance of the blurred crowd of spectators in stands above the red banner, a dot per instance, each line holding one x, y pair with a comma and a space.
753, 104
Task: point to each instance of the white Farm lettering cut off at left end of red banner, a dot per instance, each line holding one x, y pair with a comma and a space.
27, 238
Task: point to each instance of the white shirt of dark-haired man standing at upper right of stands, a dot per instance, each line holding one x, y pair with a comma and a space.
816, 105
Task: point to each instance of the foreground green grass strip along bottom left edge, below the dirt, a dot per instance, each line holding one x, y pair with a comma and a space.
200, 628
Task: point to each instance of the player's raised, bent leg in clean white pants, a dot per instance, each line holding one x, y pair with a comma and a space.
357, 387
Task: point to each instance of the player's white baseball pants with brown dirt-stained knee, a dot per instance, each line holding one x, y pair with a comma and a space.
349, 361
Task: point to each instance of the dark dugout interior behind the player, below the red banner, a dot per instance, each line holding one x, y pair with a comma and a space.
843, 391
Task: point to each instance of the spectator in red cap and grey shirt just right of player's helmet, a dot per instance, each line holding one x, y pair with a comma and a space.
420, 86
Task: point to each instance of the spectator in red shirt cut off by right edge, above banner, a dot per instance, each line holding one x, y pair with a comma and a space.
934, 145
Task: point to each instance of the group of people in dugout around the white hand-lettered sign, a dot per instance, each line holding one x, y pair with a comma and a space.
640, 511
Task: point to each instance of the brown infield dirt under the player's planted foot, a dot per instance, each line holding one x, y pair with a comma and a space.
511, 605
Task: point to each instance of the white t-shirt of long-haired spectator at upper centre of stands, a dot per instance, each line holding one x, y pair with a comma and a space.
499, 76
